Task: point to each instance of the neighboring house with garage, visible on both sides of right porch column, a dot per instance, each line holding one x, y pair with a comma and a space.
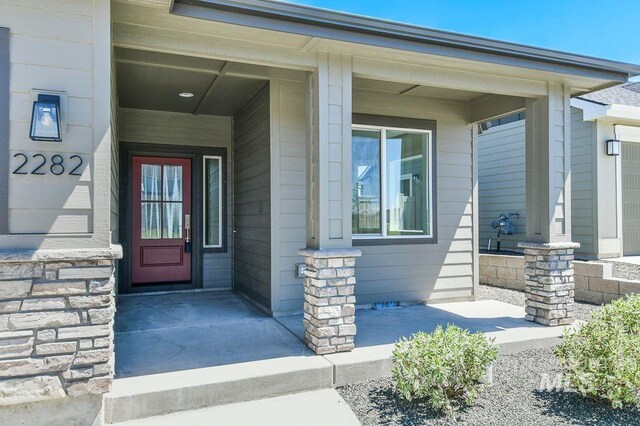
605, 189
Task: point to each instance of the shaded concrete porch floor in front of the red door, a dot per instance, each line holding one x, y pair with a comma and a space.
184, 331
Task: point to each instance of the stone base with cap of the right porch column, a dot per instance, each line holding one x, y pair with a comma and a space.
549, 282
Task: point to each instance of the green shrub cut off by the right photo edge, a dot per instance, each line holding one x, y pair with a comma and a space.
602, 358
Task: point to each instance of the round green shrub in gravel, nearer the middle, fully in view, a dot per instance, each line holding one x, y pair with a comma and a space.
443, 367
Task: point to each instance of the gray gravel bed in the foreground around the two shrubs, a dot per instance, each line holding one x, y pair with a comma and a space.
515, 398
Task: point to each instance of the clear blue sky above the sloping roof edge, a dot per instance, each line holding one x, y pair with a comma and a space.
604, 29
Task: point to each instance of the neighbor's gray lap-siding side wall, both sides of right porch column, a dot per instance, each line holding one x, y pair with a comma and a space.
502, 184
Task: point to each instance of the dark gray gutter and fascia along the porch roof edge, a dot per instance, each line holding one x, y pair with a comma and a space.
325, 24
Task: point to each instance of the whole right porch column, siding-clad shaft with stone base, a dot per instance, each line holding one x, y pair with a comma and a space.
549, 280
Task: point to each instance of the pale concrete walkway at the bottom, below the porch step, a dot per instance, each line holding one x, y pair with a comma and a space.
317, 408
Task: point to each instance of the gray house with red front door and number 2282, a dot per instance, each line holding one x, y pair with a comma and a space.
205, 143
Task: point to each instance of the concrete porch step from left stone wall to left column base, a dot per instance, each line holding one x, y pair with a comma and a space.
146, 396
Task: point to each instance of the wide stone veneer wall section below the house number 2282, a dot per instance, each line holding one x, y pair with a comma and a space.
56, 324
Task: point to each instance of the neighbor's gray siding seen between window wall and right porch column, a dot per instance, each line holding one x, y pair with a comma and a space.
501, 181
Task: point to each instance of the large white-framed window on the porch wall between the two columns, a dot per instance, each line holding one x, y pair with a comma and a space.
391, 182
